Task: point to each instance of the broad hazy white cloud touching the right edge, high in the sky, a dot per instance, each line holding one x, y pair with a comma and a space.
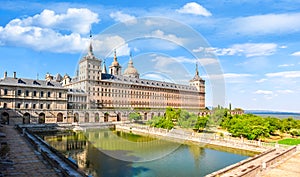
266, 24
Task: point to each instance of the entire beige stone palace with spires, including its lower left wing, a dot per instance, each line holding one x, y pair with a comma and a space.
95, 95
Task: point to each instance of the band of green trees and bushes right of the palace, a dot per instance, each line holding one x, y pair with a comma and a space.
246, 125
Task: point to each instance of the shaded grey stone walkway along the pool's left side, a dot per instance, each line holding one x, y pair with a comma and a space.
26, 161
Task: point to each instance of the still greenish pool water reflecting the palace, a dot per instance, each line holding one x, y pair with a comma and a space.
105, 153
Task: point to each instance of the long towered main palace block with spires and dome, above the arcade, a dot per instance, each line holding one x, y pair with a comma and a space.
116, 91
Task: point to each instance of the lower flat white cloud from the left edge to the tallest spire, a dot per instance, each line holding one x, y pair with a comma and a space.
42, 39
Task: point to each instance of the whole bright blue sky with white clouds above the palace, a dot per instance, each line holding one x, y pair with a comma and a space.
252, 45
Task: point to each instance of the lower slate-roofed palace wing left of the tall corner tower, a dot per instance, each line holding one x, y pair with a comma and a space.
32, 101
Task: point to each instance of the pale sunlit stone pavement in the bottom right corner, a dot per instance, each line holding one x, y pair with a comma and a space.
288, 168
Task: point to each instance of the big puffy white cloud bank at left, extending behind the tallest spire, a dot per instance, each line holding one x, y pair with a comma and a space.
43, 32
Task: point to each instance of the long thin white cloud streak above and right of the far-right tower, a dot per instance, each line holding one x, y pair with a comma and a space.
247, 49
